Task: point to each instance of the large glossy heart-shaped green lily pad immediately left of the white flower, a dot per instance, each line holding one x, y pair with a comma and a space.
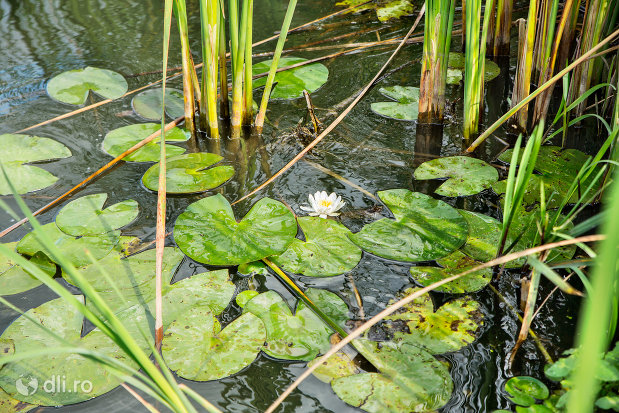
208, 232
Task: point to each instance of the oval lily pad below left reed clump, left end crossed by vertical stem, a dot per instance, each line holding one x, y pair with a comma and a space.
189, 173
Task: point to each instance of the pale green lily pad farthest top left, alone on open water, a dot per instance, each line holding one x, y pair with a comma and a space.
73, 86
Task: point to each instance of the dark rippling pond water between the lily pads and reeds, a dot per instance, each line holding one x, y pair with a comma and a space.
41, 38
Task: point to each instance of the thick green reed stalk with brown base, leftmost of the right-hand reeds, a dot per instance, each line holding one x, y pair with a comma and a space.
436, 43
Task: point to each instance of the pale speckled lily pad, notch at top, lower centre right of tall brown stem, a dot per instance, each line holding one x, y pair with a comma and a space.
196, 348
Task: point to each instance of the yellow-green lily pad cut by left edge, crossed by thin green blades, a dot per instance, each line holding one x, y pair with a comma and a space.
14, 279
